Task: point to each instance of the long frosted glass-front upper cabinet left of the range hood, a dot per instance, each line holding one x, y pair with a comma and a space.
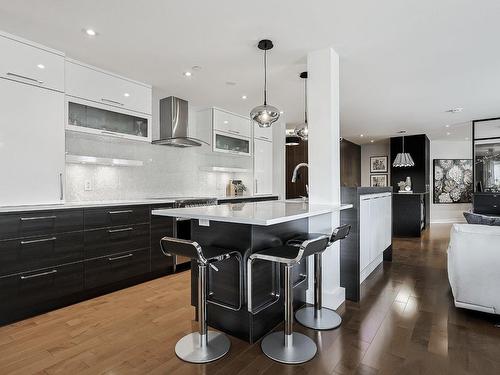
94, 120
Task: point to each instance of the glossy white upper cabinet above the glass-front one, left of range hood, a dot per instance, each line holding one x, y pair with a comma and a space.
93, 84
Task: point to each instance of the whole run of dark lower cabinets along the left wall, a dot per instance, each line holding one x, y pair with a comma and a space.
52, 258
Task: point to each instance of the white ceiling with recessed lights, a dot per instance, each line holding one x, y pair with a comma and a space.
403, 62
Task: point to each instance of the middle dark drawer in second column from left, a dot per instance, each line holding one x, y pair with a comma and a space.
101, 242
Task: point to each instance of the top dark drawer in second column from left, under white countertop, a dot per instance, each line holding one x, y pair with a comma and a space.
103, 217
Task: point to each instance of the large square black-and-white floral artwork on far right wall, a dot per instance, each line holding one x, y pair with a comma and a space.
452, 181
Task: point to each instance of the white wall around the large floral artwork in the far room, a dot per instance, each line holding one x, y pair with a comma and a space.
442, 149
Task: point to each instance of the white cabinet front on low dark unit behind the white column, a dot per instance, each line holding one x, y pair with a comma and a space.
375, 230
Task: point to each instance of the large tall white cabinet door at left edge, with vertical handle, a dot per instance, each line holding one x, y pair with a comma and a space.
31, 144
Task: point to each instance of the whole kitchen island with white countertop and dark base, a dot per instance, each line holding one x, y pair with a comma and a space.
247, 228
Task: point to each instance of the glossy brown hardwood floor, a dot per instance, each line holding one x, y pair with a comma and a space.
405, 324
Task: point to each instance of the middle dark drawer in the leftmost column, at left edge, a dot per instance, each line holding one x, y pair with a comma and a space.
22, 255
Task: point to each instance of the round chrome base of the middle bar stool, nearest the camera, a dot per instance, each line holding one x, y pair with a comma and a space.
302, 350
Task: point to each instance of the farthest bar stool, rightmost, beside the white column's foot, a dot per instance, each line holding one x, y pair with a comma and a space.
318, 317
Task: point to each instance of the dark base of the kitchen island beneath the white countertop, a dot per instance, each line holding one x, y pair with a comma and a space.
224, 284
